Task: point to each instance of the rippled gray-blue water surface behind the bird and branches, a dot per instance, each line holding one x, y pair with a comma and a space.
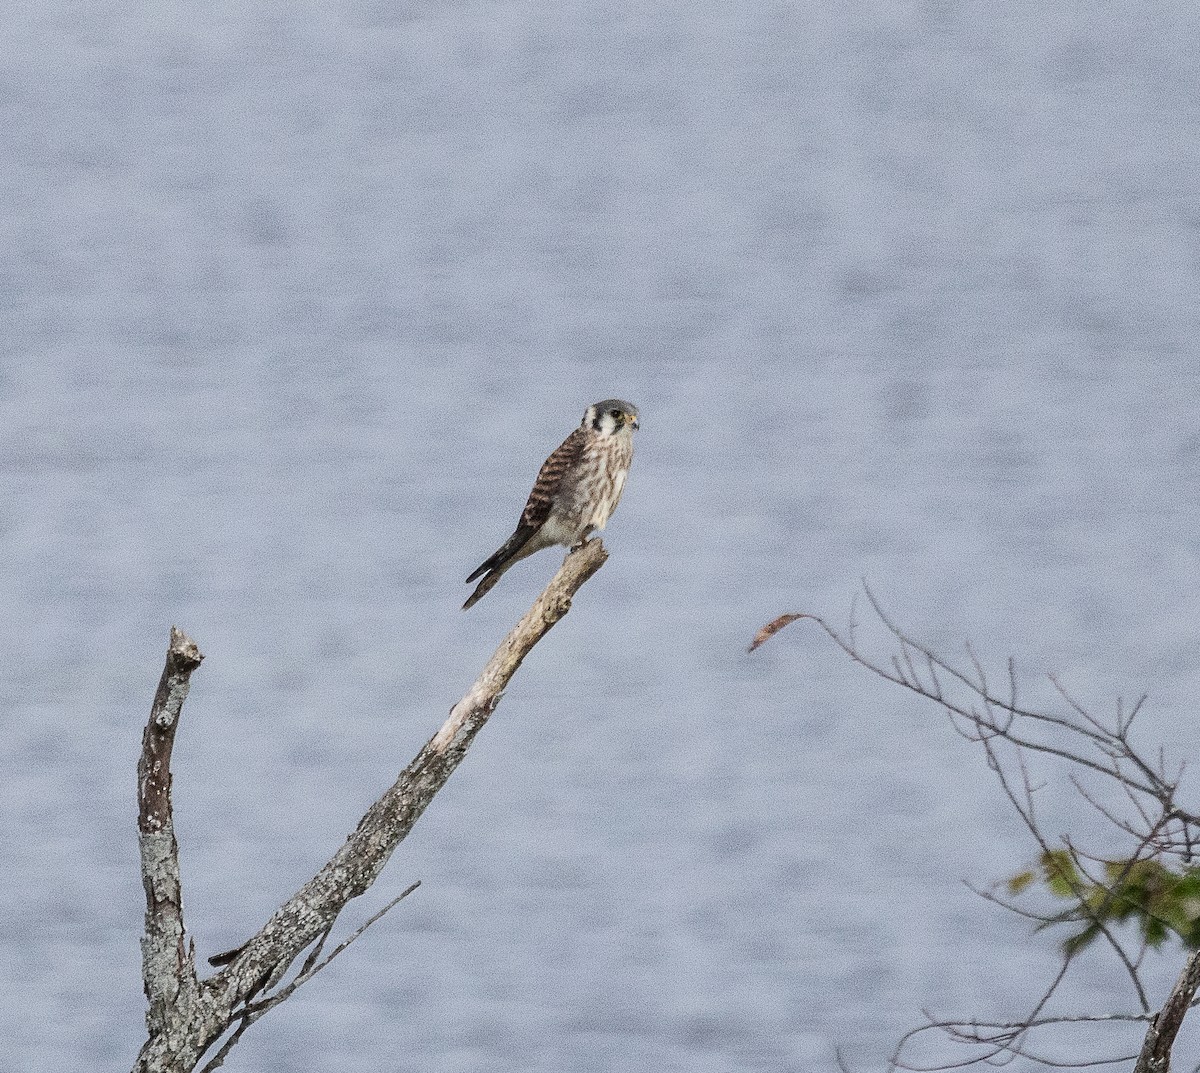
296, 298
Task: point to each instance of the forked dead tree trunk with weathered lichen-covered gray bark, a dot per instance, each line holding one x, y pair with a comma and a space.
189, 1016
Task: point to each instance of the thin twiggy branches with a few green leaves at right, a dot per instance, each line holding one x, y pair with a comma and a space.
1150, 847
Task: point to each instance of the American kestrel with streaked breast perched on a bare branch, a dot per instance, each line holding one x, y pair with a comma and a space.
577, 491
